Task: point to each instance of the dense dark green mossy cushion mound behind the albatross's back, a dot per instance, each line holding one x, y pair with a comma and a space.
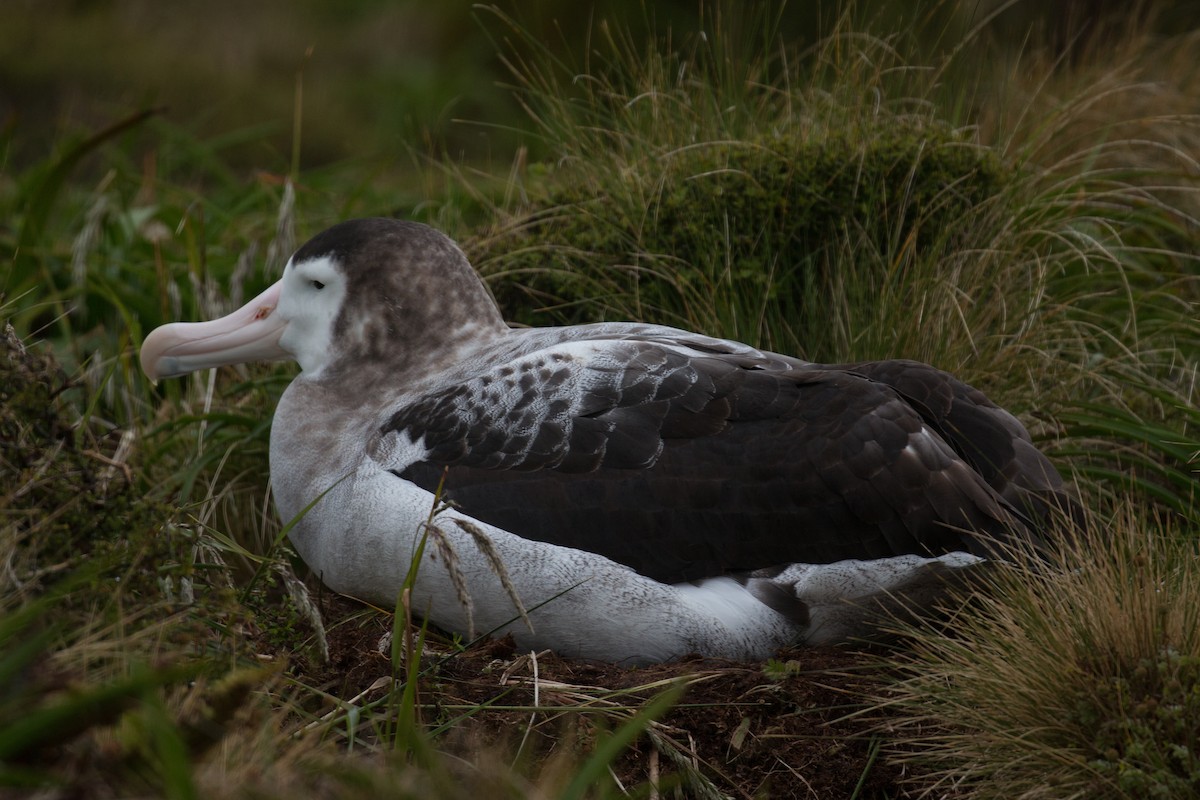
771, 215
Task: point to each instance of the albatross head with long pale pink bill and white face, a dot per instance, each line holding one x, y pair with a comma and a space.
365, 292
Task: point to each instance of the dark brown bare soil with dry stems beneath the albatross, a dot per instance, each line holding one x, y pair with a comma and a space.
800, 726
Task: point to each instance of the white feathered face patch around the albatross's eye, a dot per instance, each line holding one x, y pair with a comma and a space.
310, 302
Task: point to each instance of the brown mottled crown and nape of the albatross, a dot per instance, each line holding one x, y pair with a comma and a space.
411, 292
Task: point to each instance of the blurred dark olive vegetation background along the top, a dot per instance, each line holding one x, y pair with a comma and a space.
382, 79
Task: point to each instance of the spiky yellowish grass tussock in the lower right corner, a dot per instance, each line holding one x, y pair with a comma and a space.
1079, 682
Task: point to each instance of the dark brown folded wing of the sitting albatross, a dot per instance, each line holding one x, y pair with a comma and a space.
687, 466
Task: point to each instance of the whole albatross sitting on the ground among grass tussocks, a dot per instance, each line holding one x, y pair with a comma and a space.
646, 492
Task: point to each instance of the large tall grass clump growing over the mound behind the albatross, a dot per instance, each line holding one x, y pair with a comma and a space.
790, 199
